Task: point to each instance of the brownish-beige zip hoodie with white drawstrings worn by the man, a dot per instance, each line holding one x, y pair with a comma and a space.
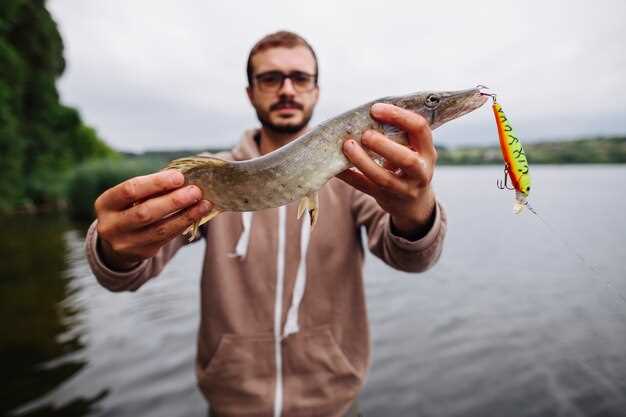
250, 362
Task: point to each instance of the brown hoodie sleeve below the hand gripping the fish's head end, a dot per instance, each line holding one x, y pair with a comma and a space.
397, 252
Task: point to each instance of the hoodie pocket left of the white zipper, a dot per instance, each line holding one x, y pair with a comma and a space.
239, 379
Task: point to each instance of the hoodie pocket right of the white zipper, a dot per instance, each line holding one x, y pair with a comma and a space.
319, 378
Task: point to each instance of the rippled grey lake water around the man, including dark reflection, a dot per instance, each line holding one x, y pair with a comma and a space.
522, 316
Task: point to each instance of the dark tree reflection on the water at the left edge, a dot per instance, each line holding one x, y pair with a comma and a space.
41, 341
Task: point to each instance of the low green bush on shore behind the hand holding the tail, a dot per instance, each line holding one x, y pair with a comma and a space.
92, 178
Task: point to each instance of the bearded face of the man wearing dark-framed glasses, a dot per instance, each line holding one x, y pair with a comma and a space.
288, 109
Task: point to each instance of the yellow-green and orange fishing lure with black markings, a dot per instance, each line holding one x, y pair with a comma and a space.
514, 156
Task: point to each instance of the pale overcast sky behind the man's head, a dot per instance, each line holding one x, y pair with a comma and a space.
171, 74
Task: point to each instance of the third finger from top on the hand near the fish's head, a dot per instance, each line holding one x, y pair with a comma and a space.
375, 173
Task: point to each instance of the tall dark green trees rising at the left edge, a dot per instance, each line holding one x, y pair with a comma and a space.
40, 139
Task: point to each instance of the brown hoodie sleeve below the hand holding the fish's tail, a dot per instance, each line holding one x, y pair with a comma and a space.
132, 279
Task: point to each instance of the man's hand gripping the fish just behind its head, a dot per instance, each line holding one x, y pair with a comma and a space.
402, 187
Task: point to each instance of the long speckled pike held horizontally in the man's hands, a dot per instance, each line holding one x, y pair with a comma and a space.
297, 170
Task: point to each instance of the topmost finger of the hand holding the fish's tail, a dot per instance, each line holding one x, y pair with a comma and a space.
137, 189
